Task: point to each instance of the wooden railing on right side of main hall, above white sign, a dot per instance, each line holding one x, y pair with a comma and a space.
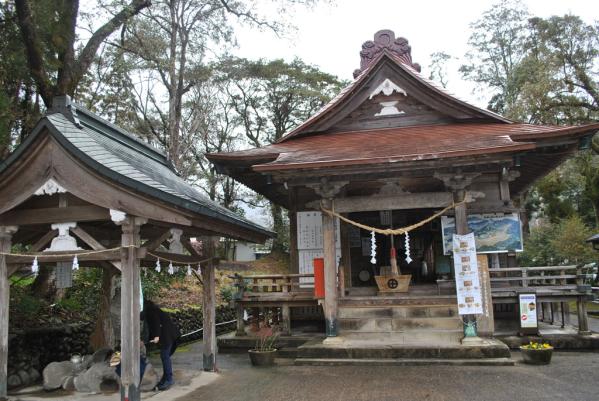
547, 277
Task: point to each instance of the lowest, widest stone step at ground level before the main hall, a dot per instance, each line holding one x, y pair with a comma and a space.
403, 362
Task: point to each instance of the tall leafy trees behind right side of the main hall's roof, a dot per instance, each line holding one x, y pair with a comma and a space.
543, 71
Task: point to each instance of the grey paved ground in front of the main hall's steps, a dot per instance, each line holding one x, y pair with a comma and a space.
571, 376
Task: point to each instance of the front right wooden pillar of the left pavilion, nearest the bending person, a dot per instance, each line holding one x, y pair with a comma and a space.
130, 309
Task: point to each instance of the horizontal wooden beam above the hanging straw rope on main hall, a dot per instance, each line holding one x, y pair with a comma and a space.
421, 200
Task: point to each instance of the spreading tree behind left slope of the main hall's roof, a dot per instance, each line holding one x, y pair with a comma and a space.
271, 98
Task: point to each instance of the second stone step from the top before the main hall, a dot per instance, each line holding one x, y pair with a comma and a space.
375, 325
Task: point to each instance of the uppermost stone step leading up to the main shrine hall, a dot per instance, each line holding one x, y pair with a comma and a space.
399, 311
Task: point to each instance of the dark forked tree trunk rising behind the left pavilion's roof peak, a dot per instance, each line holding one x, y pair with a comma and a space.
51, 53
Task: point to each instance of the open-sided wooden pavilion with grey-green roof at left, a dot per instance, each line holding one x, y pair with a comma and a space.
80, 186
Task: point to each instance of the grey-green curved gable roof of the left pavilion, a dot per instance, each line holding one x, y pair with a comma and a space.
122, 158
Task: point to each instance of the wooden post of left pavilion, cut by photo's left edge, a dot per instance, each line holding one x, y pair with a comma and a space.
6, 233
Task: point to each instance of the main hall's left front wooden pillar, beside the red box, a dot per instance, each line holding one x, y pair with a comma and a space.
330, 271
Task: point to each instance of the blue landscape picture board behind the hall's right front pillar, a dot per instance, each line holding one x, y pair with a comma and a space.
494, 232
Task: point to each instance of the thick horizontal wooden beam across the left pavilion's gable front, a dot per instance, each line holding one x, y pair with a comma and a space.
54, 215
